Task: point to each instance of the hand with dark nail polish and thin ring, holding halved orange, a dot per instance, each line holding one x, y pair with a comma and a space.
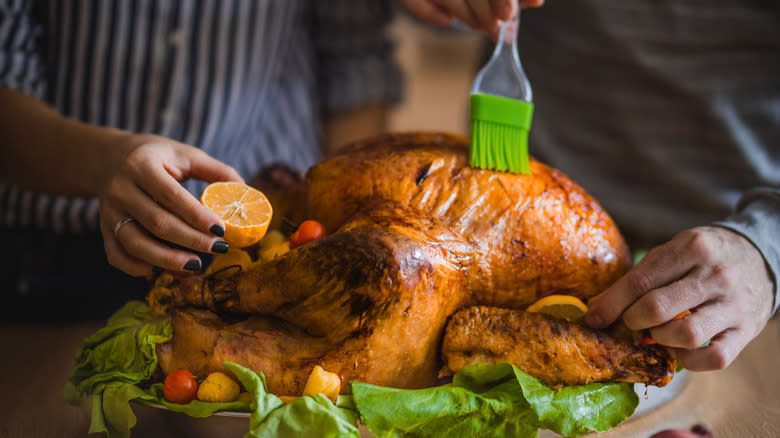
142, 182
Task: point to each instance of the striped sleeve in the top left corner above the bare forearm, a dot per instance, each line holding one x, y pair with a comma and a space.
20, 60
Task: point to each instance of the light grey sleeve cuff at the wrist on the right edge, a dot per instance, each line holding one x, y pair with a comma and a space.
757, 218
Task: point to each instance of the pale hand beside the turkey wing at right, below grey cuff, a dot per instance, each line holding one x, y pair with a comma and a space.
717, 274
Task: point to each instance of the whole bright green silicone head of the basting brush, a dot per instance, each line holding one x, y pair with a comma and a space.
499, 133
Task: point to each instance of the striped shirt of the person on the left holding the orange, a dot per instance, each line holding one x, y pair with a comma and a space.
245, 80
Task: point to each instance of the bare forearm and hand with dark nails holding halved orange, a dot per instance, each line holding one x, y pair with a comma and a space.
132, 175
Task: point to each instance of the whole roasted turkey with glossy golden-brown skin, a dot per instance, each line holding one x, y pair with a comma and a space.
416, 235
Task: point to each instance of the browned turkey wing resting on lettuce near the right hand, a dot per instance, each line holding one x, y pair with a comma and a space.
554, 351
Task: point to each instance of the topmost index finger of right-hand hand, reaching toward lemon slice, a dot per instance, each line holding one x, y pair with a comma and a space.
661, 266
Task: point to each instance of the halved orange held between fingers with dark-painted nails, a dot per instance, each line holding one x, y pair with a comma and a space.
245, 210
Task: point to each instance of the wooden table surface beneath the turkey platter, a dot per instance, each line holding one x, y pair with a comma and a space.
742, 401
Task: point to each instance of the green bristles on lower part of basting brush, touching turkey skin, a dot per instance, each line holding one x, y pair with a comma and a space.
499, 147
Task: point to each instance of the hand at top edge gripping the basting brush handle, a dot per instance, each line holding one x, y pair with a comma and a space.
480, 15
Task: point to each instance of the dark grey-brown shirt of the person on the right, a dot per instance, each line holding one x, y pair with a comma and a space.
667, 111
